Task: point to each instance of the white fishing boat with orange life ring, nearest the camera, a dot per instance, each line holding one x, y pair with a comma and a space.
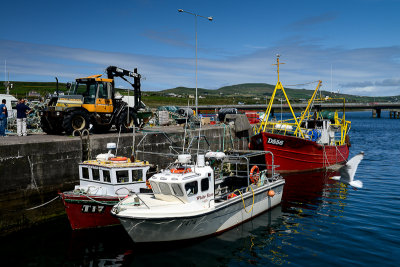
191, 200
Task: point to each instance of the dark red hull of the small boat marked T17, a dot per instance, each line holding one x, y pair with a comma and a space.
83, 212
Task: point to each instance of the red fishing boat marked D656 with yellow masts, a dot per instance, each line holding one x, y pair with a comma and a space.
314, 140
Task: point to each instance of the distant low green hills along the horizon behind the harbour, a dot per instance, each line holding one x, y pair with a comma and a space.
248, 93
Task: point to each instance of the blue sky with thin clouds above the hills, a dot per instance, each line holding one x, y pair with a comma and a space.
356, 42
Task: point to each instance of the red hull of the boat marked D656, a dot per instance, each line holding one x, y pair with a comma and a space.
294, 154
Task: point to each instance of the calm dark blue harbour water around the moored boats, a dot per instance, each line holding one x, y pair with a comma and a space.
319, 223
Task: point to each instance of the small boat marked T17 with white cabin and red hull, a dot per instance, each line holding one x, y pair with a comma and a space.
103, 183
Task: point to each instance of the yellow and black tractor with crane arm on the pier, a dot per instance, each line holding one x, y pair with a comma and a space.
93, 100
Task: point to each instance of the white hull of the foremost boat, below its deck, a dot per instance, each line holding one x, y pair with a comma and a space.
215, 220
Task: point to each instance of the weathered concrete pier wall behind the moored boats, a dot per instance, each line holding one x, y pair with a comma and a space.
34, 168
